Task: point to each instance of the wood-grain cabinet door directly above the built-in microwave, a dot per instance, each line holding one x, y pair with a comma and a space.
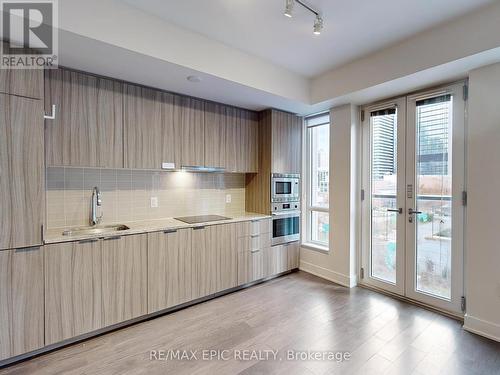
286, 142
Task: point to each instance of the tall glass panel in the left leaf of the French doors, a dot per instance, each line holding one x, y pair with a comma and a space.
383, 197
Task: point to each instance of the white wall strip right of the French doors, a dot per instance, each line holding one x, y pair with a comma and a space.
483, 208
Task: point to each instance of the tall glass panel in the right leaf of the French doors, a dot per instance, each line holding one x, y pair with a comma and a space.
433, 196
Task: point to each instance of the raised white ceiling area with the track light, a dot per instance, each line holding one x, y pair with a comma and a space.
353, 28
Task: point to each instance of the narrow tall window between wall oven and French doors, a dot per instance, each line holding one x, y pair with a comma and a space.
318, 174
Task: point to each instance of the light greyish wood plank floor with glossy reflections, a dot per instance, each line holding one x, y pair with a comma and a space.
295, 312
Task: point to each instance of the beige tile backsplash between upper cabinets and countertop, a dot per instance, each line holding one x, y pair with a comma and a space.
126, 194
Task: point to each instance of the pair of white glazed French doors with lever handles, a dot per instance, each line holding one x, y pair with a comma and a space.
413, 181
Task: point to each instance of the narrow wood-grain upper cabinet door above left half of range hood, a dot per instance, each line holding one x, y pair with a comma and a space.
190, 111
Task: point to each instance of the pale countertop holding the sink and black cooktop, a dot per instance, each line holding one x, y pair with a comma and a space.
56, 235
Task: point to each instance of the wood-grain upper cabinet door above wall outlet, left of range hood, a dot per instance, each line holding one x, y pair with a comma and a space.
151, 128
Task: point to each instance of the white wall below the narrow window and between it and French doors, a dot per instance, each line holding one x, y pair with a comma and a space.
339, 264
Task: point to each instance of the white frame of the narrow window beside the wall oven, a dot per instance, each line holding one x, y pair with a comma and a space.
307, 240
